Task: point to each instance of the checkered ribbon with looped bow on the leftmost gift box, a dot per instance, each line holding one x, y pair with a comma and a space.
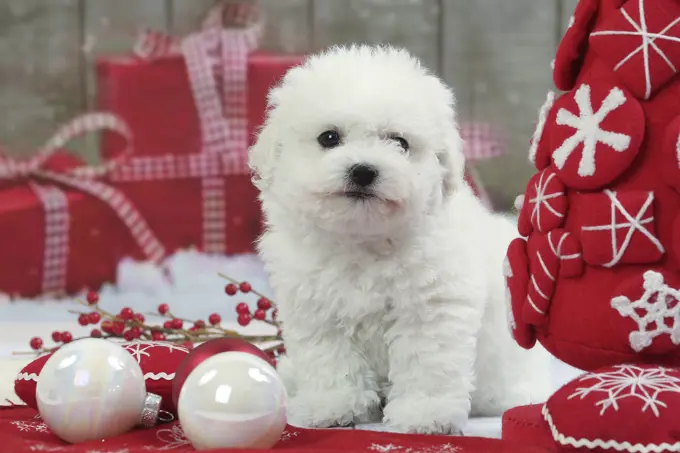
55, 202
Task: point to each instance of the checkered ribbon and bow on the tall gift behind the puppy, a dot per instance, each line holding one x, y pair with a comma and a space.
216, 59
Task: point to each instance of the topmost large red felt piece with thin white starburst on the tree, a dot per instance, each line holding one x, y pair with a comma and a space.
641, 44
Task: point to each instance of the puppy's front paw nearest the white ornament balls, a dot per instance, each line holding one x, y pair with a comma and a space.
330, 408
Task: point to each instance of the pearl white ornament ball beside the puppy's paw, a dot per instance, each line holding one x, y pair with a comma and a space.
233, 400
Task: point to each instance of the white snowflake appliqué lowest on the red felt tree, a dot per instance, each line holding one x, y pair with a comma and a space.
658, 303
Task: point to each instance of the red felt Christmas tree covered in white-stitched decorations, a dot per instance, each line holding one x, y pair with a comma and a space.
618, 162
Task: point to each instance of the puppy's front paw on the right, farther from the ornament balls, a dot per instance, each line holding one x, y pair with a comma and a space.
419, 414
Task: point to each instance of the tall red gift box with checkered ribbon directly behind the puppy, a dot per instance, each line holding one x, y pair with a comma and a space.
185, 102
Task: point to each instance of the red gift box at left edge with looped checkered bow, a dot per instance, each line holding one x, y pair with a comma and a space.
61, 228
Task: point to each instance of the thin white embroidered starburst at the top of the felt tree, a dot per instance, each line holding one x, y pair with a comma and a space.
647, 43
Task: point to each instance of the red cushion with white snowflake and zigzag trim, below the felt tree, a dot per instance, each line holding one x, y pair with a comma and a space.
632, 408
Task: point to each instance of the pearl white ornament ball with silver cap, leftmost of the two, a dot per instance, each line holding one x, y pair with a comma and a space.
90, 389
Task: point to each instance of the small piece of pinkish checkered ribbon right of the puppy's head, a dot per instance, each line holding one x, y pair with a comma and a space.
481, 141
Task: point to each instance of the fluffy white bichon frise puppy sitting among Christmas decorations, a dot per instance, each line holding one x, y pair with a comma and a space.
386, 268
